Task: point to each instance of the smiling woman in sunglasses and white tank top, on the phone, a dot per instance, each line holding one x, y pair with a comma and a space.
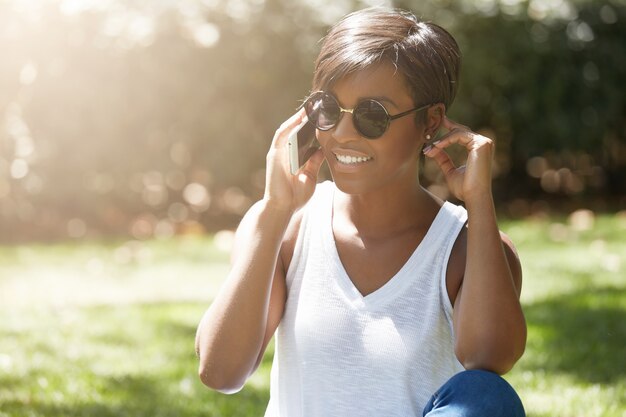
385, 300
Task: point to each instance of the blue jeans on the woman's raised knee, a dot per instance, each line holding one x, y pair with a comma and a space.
475, 393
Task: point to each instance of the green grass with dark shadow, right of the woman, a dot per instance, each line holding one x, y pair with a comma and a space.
574, 299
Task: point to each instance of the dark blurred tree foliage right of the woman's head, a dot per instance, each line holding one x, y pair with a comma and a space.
545, 79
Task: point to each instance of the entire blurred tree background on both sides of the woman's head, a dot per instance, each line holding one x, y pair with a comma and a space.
153, 118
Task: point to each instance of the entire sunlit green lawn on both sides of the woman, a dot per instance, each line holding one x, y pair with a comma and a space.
107, 329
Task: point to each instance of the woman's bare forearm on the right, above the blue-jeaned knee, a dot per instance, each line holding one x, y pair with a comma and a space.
491, 330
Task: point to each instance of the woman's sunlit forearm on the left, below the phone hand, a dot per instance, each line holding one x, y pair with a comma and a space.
231, 333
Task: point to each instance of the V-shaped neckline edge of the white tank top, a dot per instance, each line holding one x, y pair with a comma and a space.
400, 280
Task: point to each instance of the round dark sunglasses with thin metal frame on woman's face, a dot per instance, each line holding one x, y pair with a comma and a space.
370, 118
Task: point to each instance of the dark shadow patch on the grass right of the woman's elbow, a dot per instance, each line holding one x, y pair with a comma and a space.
582, 333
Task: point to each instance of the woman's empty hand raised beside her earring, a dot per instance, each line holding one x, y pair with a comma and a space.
472, 180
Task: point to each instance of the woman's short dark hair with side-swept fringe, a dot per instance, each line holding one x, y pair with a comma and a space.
425, 53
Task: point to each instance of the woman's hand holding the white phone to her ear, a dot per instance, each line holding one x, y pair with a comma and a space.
283, 190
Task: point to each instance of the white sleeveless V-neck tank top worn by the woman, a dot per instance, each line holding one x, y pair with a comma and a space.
339, 353
